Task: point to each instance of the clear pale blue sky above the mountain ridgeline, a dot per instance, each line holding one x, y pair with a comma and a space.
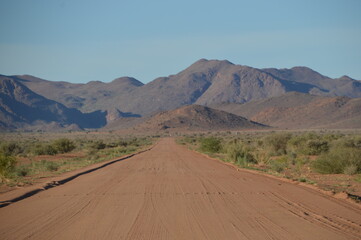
84, 40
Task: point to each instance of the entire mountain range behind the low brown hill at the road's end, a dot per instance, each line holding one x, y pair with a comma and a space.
214, 83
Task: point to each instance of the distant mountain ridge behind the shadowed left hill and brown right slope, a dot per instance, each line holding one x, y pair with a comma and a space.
206, 82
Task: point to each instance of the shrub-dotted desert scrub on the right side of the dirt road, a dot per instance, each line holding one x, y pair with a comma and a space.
299, 156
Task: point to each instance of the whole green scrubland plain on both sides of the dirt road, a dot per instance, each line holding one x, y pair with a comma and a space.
329, 159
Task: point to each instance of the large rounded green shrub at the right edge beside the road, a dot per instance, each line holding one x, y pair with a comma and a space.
339, 160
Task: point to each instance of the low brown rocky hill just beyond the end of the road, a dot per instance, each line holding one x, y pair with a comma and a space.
196, 117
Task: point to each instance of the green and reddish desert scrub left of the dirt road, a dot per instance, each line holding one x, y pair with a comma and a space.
27, 158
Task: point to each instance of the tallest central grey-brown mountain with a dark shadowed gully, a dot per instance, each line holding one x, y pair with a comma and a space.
206, 82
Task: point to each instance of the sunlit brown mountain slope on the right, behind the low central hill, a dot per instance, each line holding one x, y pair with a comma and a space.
297, 110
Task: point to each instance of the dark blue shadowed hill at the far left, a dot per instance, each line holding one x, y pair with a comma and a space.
22, 108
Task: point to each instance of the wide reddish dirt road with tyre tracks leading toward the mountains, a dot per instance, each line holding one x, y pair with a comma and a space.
173, 193
